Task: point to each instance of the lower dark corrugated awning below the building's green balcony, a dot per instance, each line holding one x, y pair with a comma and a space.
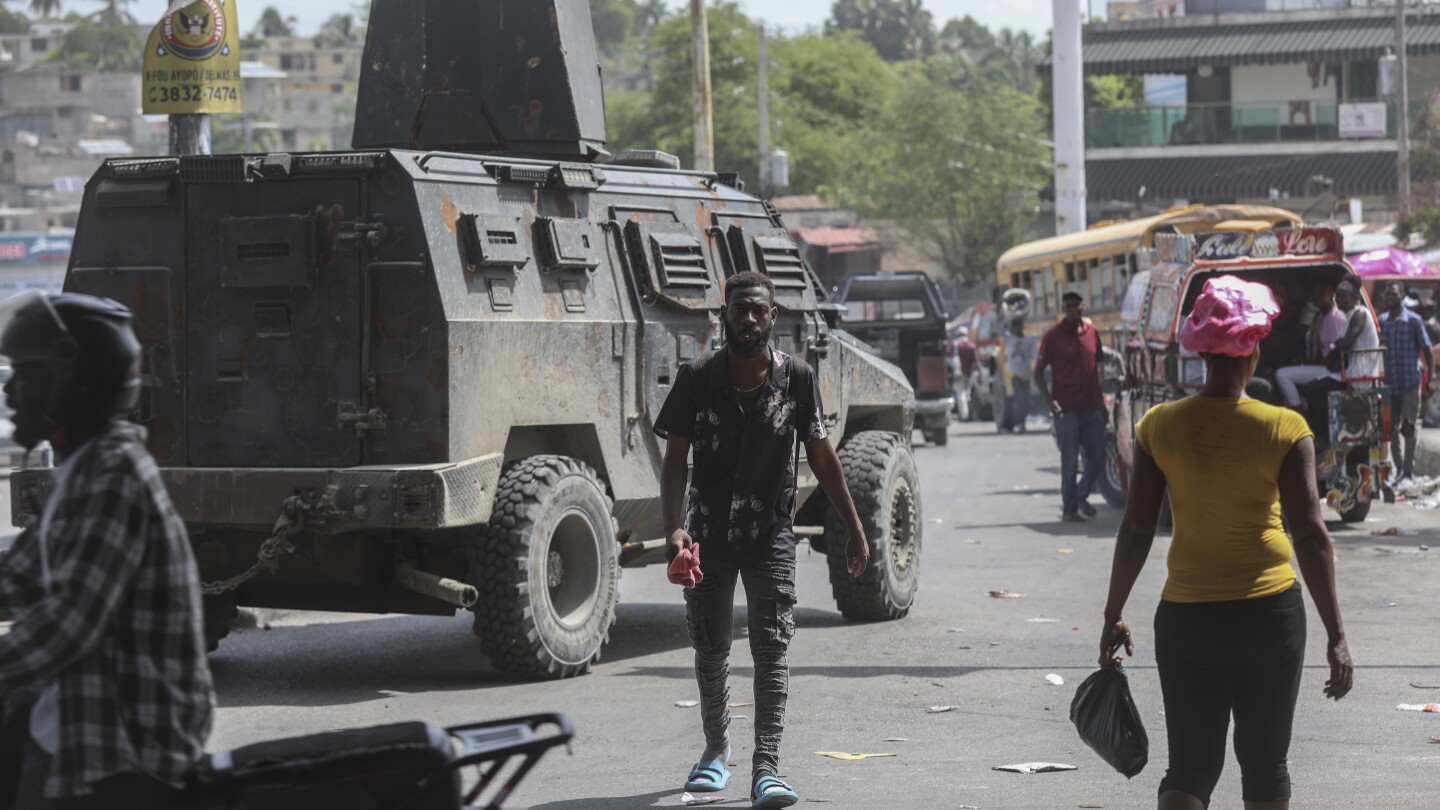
1228, 179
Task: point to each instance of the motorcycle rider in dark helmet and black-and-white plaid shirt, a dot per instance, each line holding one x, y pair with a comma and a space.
107, 694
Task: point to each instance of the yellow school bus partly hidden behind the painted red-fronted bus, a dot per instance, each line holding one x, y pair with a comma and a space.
1099, 263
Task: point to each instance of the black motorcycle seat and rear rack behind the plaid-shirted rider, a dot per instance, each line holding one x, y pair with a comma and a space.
410, 766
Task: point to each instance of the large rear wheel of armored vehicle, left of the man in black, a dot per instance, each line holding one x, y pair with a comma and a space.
548, 570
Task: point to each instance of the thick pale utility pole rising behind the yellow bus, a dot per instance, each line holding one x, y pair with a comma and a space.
1068, 73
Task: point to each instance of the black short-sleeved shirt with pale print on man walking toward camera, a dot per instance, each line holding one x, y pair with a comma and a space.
742, 489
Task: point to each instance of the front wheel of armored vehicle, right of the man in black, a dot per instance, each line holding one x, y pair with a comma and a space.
886, 488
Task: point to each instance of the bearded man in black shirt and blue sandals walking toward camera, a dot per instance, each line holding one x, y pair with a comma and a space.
744, 410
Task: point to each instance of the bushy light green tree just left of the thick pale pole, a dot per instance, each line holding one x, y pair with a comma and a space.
957, 156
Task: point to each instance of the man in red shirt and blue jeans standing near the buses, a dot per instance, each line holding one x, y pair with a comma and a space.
1072, 352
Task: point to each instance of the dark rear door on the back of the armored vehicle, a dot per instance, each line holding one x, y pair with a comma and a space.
273, 316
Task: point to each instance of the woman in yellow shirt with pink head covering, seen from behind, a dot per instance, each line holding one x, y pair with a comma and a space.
1230, 626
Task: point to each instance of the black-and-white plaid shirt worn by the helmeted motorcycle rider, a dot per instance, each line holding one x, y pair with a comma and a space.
120, 631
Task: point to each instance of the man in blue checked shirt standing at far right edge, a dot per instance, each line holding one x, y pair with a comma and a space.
1408, 350
